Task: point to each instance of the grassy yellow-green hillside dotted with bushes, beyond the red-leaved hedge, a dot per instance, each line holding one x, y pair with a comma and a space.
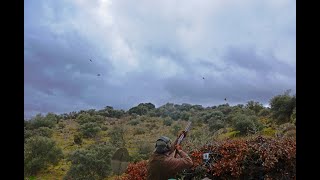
80, 144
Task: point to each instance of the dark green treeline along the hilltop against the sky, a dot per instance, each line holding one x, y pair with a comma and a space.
282, 109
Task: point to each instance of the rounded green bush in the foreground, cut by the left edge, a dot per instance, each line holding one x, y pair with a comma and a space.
39, 152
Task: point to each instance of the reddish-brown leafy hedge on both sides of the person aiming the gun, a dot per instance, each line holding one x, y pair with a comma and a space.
256, 158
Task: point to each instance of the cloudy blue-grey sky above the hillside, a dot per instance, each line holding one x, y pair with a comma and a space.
179, 51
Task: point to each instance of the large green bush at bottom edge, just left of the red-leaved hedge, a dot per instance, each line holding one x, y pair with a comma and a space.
91, 163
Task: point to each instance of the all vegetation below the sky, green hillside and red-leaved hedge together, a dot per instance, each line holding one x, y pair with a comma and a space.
247, 140
